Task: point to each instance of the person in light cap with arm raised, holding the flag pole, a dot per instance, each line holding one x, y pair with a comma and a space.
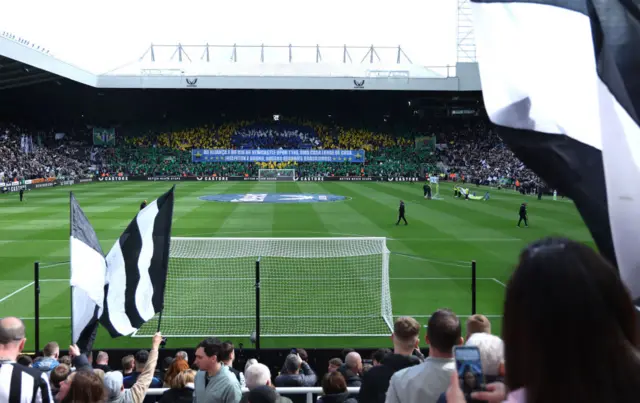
113, 380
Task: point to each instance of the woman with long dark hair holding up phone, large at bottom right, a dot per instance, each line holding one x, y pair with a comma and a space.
579, 287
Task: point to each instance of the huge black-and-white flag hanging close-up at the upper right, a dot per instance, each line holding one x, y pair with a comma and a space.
560, 79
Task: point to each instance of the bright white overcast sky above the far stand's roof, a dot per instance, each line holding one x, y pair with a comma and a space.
102, 35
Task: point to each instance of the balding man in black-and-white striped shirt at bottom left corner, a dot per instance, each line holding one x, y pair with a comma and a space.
18, 383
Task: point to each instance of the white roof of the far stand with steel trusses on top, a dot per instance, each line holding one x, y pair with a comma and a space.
265, 67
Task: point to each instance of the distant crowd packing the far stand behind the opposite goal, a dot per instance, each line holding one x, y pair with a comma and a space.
470, 149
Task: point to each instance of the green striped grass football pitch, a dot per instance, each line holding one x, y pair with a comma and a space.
429, 266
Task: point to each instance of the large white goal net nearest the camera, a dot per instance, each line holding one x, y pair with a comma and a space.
308, 287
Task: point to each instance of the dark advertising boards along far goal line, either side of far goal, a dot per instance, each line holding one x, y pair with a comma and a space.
255, 178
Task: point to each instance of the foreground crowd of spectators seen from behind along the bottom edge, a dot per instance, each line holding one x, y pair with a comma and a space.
557, 288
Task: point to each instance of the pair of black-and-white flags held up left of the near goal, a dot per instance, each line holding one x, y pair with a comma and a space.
126, 289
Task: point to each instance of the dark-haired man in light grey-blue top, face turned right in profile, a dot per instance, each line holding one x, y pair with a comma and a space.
214, 382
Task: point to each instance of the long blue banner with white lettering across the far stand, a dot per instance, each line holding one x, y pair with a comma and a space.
199, 155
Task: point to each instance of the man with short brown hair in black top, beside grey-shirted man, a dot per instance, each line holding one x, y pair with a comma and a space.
405, 337
